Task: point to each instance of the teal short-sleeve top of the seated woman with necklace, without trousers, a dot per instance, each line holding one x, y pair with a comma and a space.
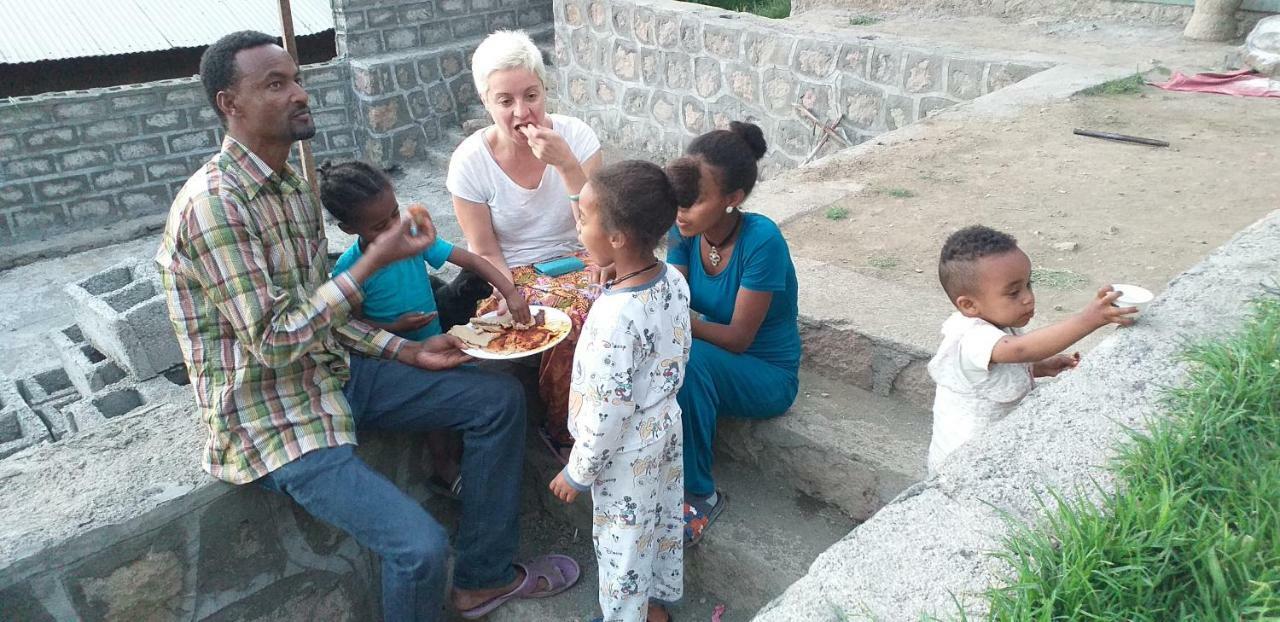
761, 263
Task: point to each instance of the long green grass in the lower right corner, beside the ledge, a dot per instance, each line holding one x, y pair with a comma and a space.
1194, 532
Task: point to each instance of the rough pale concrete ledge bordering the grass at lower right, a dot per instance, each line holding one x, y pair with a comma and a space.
934, 542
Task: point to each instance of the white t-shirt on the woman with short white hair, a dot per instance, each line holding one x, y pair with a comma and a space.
532, 226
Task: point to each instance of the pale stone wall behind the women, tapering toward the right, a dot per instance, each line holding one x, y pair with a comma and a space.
651, 75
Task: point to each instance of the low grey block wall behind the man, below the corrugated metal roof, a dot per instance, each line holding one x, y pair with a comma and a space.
85, 159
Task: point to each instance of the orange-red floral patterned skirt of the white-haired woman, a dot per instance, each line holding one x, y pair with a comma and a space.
573, 294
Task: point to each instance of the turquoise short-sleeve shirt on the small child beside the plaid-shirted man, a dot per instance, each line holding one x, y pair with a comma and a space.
401, 289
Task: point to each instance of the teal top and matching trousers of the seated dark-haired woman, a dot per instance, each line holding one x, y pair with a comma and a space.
764, 381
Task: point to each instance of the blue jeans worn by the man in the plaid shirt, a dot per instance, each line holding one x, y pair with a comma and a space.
339, 488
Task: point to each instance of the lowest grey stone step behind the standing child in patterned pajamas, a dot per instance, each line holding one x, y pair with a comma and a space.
765, 542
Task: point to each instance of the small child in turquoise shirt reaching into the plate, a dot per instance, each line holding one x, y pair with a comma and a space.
399, 299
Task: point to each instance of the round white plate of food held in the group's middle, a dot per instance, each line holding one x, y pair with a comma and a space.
500, 337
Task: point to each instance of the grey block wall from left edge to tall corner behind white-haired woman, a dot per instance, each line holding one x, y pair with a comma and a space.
88, 159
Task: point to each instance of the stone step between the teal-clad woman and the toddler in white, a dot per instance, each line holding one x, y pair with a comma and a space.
870, 333
